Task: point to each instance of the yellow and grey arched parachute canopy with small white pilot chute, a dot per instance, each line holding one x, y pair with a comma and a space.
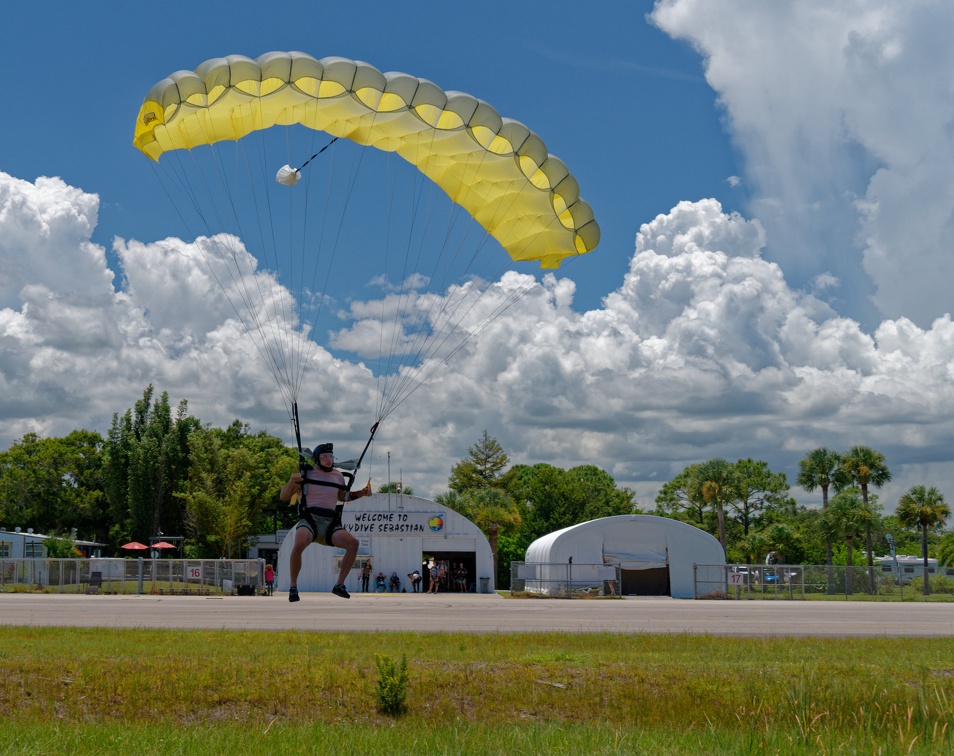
495, 168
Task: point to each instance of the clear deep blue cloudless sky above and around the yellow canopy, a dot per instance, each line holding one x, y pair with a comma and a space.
627, 108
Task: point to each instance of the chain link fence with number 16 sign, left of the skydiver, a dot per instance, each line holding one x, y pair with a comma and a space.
155, 576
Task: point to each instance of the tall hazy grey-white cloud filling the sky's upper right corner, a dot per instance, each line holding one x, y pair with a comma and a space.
842, 112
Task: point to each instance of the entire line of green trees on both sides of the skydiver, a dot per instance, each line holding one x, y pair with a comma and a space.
160, 470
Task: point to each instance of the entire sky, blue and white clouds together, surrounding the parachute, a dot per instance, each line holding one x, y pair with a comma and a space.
772, 183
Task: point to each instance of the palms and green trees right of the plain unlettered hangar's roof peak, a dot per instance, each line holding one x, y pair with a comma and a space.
751, 511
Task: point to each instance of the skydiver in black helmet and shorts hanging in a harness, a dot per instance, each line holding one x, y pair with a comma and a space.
319, 493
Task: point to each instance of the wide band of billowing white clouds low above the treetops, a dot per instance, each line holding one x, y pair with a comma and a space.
702, 350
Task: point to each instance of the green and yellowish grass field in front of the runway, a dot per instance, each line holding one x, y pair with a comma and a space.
119, 691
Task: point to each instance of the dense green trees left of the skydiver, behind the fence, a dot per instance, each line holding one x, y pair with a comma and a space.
158, 471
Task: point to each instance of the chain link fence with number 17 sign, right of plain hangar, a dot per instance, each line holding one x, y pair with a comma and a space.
795, 581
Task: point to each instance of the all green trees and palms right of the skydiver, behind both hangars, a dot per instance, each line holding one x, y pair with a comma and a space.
746, 505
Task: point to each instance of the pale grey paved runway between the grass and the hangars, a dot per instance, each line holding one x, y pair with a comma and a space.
491, 613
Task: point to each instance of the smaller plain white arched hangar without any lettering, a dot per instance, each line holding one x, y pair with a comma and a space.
655, 555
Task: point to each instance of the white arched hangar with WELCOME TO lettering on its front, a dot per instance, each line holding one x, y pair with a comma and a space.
397, 533
